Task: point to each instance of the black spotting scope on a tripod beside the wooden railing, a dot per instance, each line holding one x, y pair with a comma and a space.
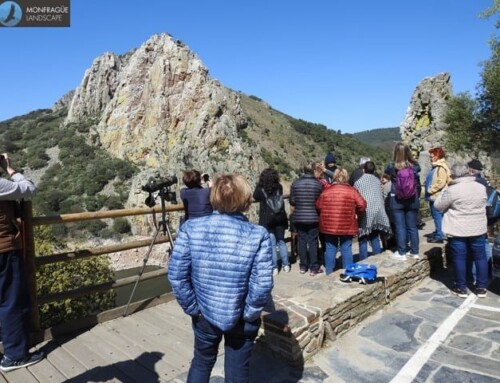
162, 186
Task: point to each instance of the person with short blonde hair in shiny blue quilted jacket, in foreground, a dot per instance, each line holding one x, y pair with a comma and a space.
221, 273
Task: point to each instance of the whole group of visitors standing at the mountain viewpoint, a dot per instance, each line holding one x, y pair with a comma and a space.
222, 265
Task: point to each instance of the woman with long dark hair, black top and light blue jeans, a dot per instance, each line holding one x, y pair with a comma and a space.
276, 223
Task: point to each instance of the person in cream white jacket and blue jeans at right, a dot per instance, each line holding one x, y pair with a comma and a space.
463, 203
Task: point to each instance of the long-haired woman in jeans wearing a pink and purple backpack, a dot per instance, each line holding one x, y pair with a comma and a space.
404, 210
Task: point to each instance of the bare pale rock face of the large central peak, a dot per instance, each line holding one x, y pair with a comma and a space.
158, 107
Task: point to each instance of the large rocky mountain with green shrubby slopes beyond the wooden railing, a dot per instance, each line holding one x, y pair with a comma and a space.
156, 109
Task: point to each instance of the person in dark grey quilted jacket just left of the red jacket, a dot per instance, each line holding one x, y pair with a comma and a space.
303, 195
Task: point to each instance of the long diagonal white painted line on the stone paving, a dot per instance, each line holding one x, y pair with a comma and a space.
411, 369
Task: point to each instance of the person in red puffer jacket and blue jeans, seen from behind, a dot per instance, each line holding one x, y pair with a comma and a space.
338, 207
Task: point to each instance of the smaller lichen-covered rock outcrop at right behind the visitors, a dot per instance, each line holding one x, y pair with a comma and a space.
423, 127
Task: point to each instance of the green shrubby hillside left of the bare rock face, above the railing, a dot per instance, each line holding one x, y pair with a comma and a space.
75, 180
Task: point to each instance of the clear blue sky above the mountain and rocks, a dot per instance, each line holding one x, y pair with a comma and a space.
350, 65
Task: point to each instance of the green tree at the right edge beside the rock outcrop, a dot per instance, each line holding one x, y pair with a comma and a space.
474, 124
